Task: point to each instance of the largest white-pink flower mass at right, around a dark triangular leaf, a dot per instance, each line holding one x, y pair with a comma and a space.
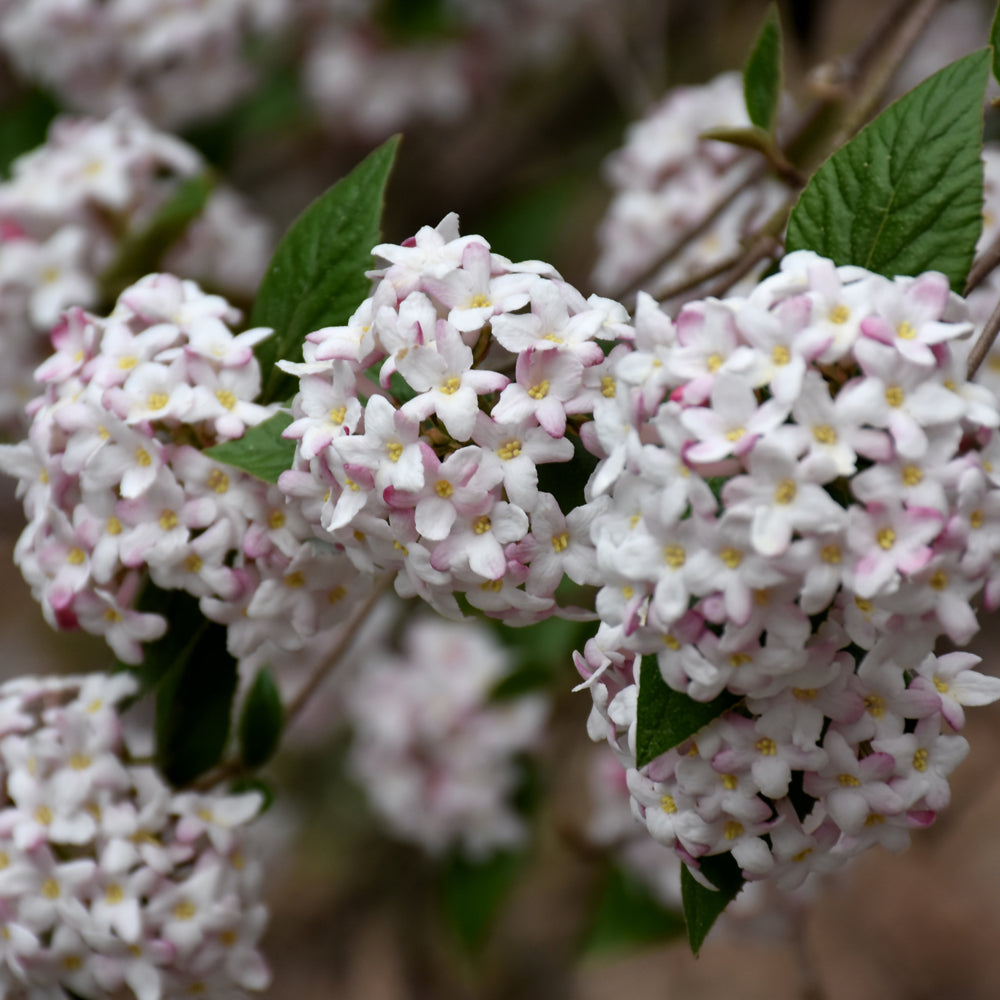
804, 497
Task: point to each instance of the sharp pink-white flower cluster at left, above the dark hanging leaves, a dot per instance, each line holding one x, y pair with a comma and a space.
114, 482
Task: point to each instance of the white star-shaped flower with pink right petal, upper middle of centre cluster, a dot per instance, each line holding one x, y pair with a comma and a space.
448, 385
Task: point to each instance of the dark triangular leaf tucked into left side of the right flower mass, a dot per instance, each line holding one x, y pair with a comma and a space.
666, 717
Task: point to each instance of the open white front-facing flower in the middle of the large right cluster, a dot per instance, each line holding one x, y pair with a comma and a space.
779, 500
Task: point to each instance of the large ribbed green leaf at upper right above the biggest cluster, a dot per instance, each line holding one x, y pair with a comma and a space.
905, 195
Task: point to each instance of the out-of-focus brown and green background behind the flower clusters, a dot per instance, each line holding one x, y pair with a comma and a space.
509, 113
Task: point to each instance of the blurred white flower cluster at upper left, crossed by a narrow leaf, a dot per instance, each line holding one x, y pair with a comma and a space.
66, 211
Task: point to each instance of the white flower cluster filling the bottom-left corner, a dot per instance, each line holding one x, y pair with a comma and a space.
110, 880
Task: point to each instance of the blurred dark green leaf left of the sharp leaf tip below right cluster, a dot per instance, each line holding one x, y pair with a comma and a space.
629, 916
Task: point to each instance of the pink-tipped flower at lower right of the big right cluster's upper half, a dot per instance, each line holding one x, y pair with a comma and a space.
889, 543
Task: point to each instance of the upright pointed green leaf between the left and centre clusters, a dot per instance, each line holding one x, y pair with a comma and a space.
316, 277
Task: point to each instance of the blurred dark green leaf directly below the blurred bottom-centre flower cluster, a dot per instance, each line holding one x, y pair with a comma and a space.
473, 892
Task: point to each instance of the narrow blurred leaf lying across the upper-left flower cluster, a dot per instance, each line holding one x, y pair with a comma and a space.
140, 252
